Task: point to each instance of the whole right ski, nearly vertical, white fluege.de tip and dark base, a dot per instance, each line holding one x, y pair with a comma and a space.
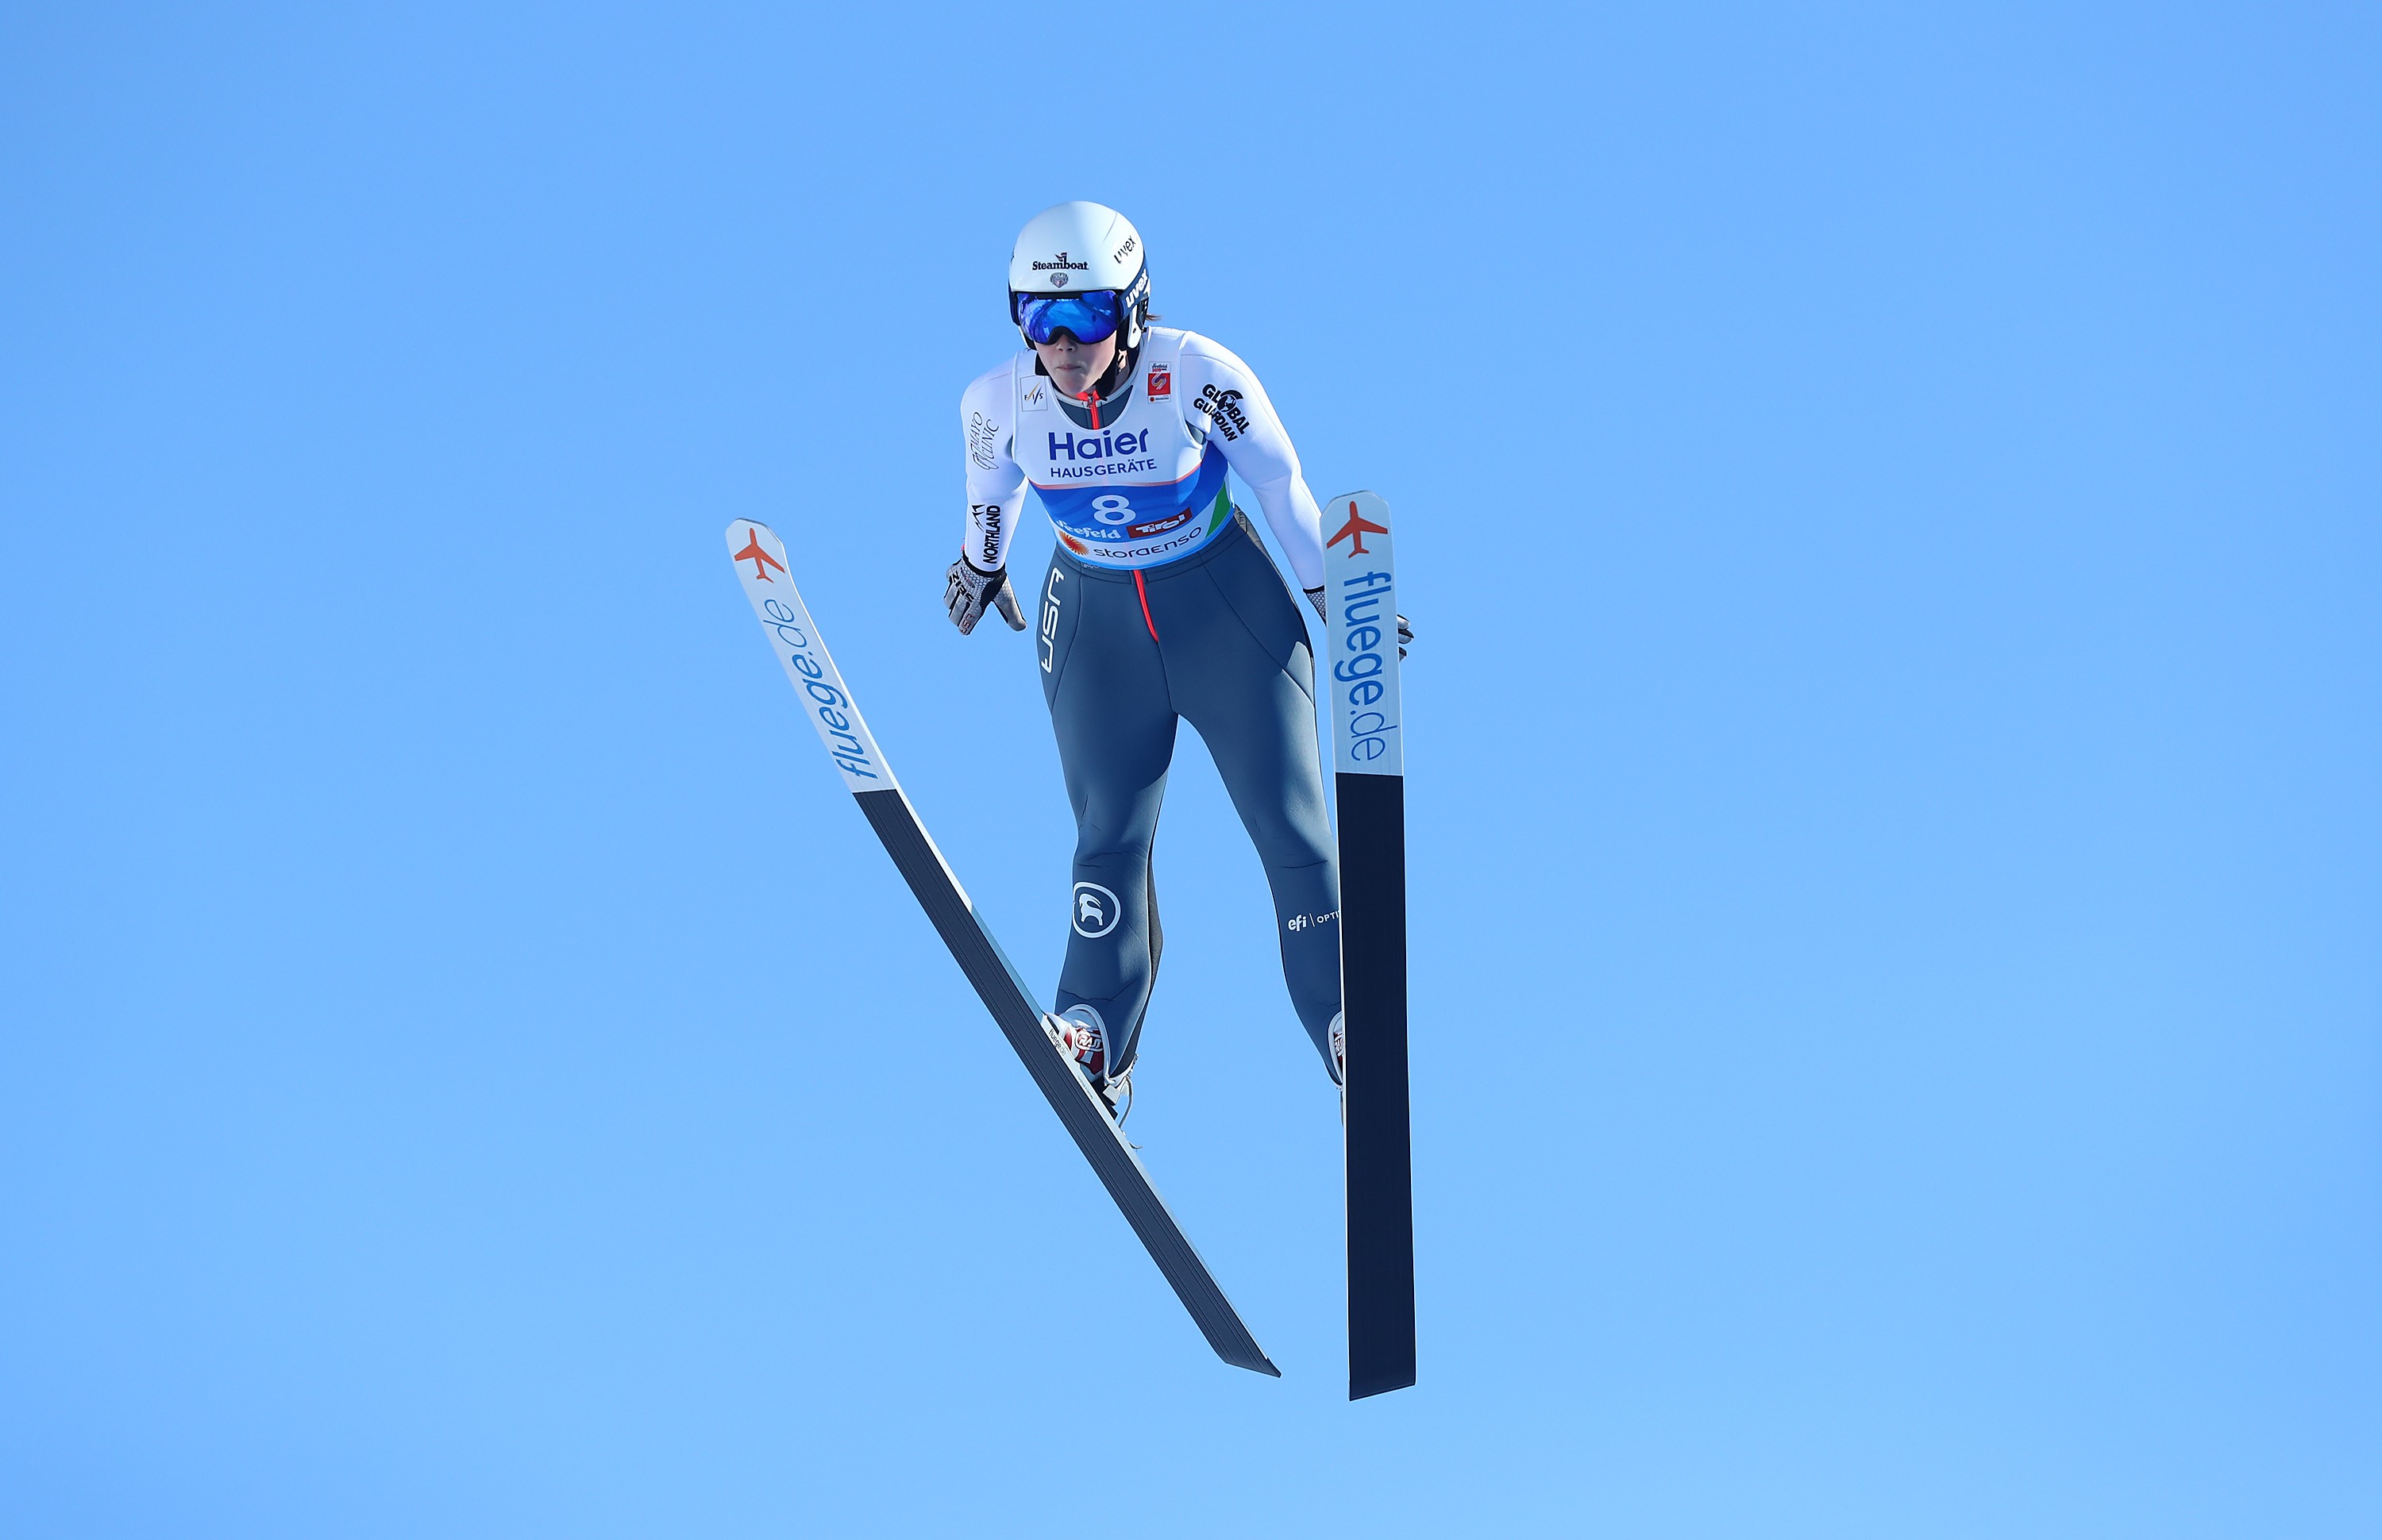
1368, 780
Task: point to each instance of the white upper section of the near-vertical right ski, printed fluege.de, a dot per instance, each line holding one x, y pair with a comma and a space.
1361, 651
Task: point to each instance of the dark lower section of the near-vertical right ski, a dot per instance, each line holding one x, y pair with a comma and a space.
1380, 1141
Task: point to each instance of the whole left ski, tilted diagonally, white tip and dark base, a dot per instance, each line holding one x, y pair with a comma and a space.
761, 565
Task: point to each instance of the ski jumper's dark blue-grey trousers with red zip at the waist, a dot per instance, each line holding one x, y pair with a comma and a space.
1218, 641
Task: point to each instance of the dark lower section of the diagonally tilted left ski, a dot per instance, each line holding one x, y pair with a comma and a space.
1071, 1096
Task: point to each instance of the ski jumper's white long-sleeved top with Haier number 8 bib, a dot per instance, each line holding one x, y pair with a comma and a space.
1142, 480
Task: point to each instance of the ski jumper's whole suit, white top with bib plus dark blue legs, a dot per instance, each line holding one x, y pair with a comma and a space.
1161, 606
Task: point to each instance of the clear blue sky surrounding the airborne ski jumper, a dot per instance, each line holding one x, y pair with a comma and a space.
1888, 499
